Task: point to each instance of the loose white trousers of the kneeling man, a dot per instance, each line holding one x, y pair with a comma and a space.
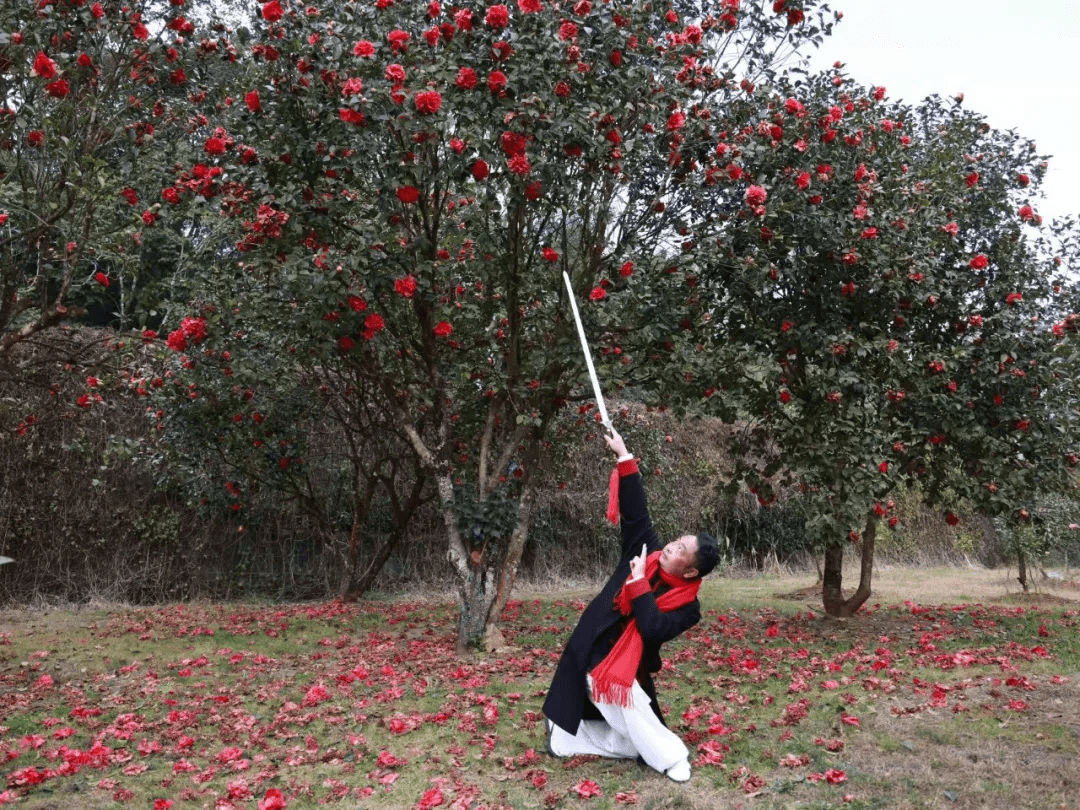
624, 734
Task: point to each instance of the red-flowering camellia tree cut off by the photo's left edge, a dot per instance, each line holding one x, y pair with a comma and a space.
93, 104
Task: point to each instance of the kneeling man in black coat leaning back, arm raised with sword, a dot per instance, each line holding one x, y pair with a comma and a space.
602, 699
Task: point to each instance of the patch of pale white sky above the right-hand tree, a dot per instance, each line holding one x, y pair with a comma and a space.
1017, 62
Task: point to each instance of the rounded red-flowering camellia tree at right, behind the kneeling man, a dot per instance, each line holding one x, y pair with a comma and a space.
870, 285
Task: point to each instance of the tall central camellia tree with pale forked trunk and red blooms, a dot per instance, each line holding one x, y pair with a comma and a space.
415, 180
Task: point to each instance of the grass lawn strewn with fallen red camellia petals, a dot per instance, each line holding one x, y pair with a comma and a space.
950, 691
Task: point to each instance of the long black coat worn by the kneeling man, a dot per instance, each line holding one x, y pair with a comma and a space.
602, 625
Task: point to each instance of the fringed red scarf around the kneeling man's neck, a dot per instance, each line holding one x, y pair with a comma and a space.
614, 678
